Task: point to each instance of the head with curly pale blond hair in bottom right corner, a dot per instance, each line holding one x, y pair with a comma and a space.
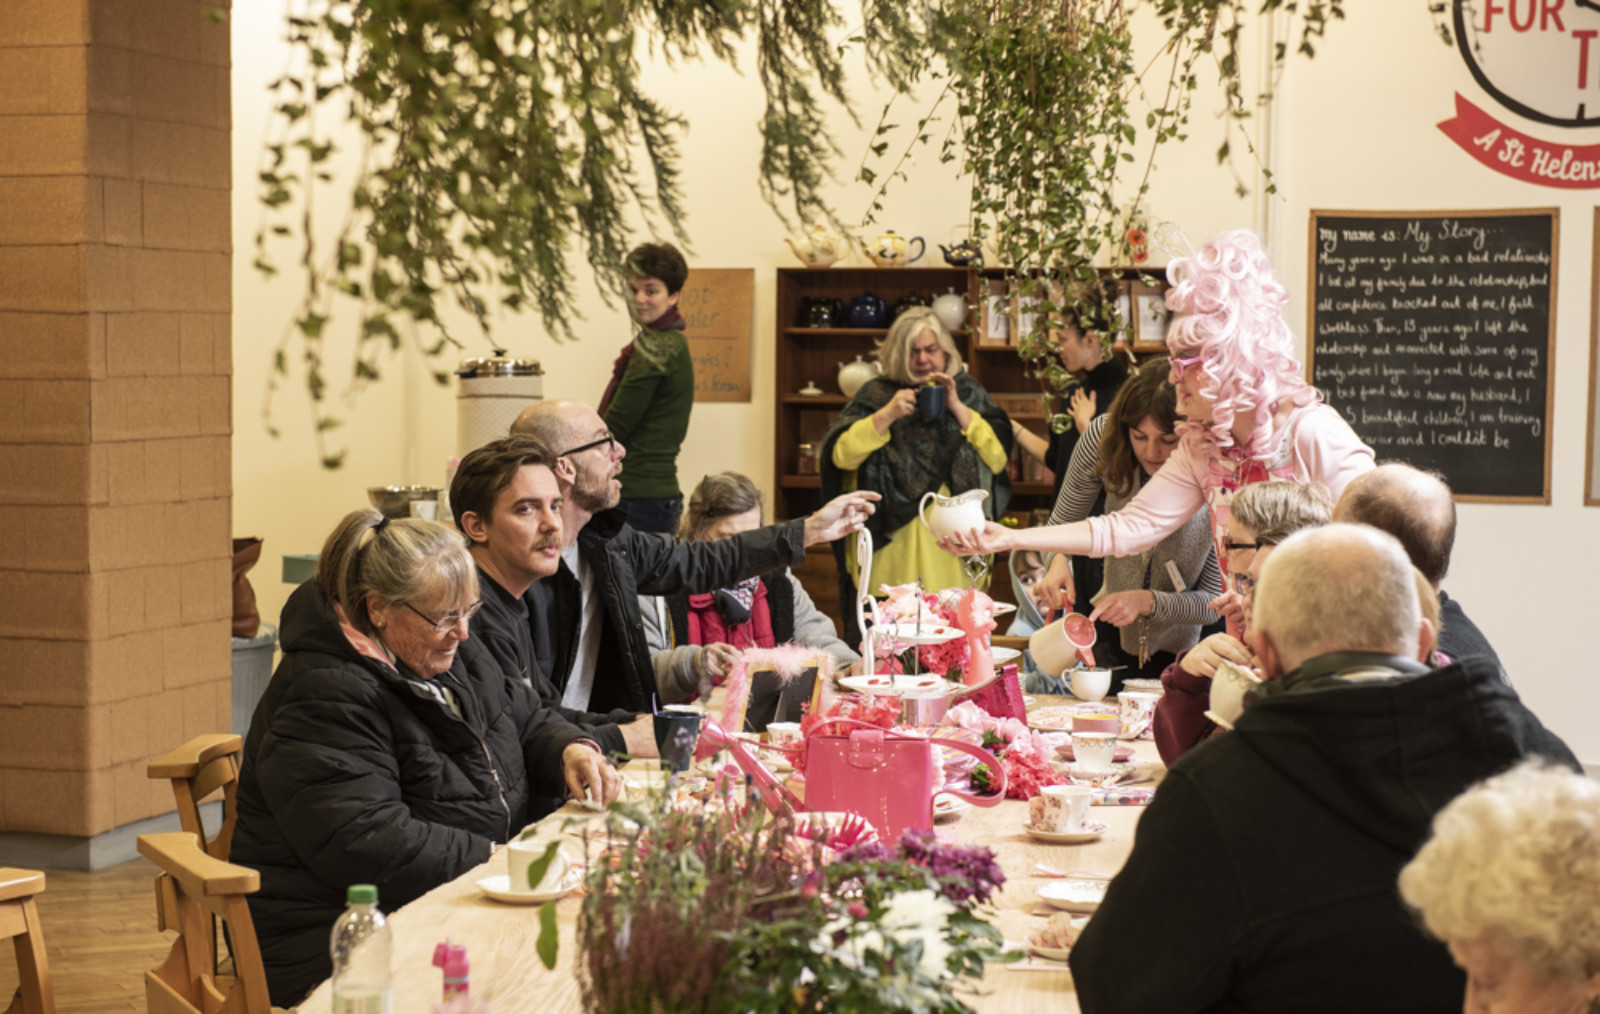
1511, 884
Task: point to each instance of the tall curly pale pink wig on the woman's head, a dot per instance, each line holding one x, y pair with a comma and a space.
1228, 309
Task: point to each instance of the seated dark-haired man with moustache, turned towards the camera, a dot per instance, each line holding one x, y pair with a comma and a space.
510, 506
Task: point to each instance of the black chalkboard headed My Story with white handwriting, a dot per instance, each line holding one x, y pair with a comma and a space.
1434, 337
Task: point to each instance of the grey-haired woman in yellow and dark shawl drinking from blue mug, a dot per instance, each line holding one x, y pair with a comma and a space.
882, 444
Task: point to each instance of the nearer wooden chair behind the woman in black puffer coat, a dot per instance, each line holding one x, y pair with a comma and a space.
193, 890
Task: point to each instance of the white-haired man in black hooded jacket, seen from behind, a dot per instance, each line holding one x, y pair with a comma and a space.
1263, 874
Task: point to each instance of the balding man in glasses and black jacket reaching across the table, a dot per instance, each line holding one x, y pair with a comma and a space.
586, 620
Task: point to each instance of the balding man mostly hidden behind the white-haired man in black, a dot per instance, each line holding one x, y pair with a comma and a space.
1418, 509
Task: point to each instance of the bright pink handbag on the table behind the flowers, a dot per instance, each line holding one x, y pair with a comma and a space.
887, 778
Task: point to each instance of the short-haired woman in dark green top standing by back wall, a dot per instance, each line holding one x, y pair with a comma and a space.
652, 391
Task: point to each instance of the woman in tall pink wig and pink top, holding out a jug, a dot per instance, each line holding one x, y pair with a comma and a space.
1249, 417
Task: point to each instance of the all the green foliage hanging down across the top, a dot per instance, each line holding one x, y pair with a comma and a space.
503, 140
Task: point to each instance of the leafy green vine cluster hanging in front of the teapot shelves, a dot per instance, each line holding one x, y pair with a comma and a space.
1039, 102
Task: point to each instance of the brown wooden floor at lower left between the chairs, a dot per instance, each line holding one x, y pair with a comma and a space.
100, 930
